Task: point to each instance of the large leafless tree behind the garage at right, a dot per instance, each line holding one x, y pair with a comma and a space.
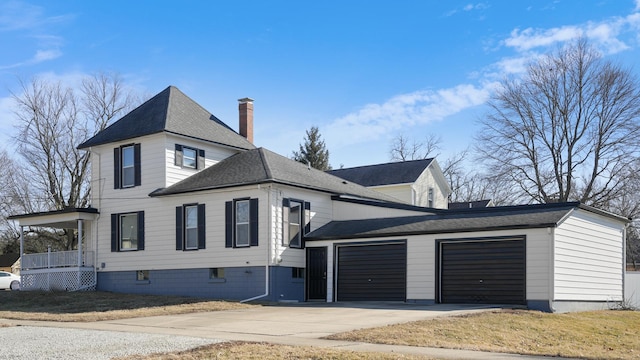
567, 130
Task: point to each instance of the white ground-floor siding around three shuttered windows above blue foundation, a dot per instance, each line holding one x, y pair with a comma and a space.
160, 226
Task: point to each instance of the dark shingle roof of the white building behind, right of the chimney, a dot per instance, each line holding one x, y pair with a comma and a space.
384, 174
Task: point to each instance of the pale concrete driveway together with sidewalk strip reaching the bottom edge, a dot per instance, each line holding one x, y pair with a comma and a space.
300, 324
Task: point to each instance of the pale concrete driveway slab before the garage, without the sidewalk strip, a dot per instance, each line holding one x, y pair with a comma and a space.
285, 323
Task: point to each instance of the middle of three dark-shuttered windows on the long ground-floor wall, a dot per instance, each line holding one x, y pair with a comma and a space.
190, 227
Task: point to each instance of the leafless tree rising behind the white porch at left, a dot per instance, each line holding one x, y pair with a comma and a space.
52, 120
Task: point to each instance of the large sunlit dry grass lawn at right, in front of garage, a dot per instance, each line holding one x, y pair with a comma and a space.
588, 335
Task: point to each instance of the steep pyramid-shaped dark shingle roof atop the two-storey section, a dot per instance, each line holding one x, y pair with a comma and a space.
174, 112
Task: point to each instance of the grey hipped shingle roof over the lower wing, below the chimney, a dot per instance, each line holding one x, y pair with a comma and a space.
263, 166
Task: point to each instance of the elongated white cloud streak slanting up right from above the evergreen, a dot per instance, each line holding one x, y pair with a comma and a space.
421, 107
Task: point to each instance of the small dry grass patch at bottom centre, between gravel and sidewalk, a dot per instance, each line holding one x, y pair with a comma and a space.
261, 351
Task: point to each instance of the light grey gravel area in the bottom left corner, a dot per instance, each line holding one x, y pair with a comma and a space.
28, 342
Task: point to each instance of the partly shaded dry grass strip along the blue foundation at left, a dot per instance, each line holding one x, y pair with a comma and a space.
96, 306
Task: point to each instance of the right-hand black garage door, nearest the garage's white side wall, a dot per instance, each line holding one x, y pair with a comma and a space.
487, 271
